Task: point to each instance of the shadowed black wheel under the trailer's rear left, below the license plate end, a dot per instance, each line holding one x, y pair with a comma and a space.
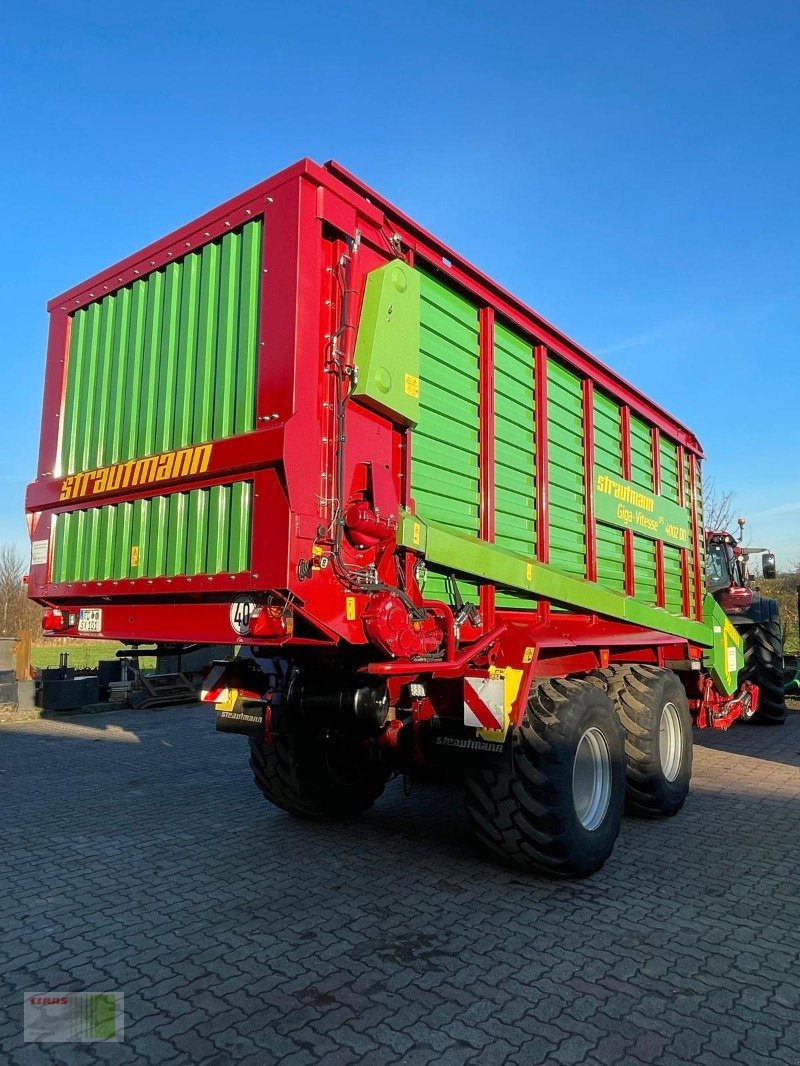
316, 776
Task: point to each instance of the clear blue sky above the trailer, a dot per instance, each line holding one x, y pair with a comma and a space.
630, 170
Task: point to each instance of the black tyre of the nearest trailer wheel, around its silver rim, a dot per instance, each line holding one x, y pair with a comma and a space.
526, 814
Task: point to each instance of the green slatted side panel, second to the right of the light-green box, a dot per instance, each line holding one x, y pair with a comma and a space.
516, 509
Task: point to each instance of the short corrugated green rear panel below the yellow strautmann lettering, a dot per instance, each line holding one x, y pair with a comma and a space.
203, 531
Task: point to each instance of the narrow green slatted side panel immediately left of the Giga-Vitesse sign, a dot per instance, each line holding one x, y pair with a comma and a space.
566, 471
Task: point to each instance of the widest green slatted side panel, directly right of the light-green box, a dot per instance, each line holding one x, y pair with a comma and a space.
445, 462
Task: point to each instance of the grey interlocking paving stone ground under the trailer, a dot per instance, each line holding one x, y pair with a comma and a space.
137, 854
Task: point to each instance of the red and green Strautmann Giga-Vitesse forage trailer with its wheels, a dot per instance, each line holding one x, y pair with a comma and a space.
438, 531
